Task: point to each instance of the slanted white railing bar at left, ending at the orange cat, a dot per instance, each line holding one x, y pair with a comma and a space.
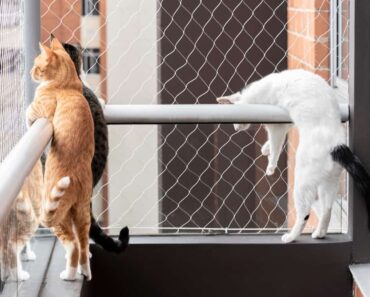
20, 162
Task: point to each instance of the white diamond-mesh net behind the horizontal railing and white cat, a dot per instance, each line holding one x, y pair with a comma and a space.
198, 178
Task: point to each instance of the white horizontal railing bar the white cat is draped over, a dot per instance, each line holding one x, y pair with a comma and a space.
200, 113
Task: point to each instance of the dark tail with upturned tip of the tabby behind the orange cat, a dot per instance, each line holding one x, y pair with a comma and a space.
107, 242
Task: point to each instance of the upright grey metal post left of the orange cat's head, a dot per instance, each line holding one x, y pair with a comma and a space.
31, 38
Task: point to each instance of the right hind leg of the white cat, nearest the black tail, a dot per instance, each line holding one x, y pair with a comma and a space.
327, 192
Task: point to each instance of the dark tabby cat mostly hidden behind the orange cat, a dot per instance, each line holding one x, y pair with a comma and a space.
100, 157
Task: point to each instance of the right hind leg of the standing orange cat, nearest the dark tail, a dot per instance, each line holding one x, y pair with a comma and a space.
82, 223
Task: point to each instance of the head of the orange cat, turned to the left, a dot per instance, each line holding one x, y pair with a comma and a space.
53, 63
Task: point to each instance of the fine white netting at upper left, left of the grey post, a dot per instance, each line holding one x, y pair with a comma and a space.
12, 124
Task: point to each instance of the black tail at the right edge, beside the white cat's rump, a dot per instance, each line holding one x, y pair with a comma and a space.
349, 161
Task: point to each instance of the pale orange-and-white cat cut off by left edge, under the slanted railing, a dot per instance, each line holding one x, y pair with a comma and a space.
19, 226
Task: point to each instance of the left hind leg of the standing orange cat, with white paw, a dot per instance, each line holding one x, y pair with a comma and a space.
64, 232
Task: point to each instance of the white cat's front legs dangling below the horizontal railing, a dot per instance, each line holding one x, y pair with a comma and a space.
276, 136
